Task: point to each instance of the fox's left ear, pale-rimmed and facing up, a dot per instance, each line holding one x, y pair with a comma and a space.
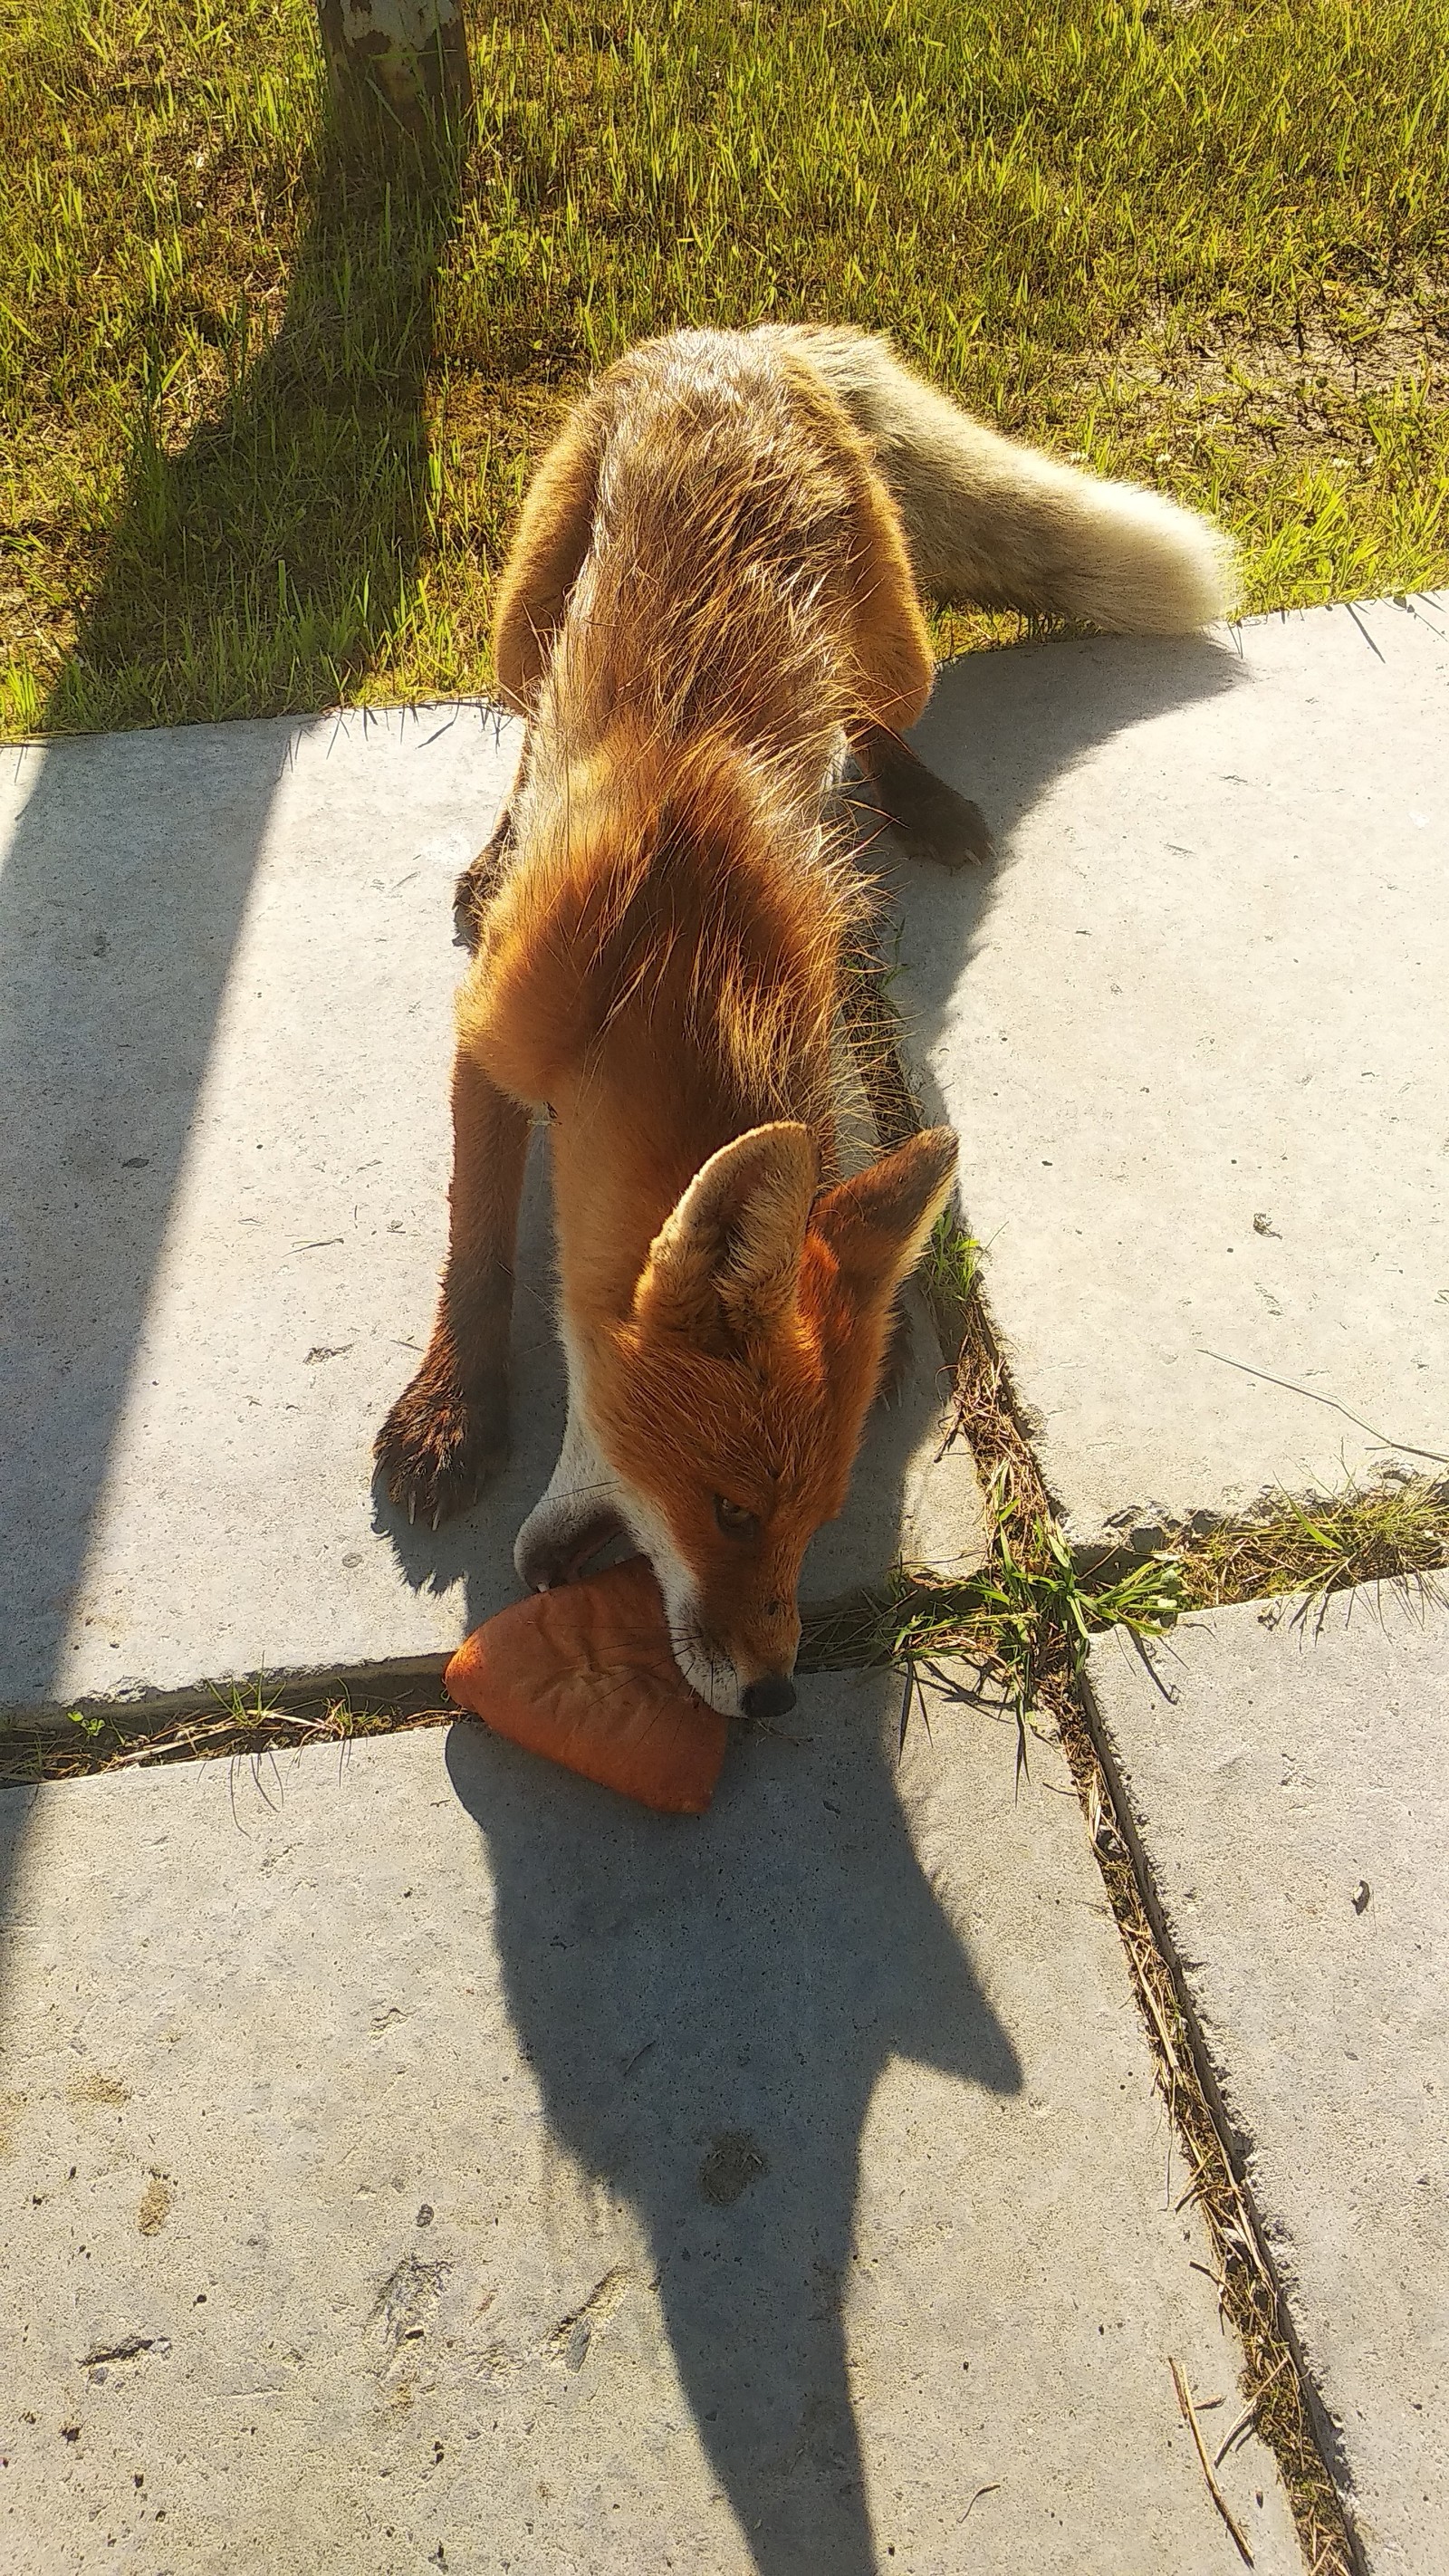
730, 1256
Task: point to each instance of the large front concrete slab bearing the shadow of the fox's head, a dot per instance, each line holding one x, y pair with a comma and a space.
429, 2160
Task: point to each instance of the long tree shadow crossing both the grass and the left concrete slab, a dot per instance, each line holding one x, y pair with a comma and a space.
125, 880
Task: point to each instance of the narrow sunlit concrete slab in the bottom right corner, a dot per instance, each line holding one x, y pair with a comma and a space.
1286, 1779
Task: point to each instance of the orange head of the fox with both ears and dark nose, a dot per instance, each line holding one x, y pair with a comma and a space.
730, 1403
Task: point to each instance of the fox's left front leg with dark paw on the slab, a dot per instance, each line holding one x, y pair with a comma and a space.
449, 1431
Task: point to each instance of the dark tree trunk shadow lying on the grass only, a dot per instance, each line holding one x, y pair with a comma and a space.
266, 565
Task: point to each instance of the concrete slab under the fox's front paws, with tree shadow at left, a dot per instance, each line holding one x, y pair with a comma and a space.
225, 1032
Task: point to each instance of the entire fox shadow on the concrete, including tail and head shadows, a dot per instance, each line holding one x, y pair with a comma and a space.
709, 2008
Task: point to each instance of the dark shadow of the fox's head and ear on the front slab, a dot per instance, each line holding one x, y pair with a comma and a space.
706, 2011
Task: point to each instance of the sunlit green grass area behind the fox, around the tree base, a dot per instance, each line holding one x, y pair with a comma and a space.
269, 416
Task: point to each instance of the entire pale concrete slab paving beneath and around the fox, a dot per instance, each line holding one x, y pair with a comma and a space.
447, 2165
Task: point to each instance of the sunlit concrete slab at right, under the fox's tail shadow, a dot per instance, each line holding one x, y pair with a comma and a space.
1193, 1037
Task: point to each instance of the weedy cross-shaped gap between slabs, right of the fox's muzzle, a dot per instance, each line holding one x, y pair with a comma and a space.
1026, 1624
